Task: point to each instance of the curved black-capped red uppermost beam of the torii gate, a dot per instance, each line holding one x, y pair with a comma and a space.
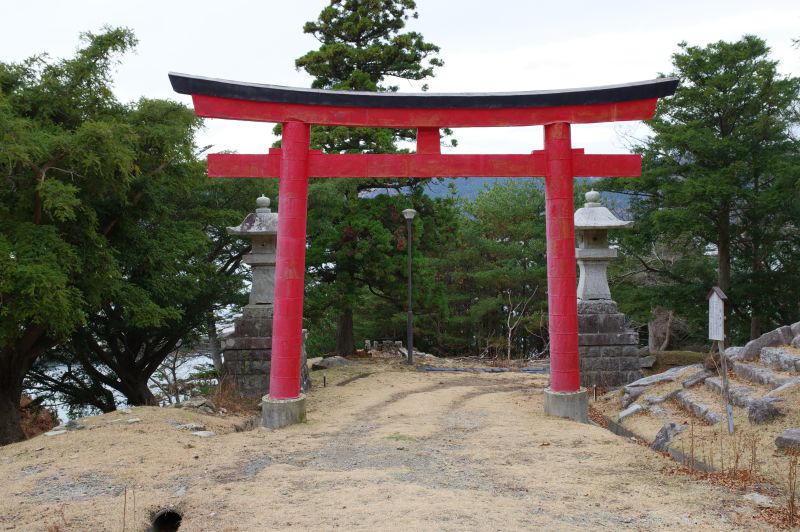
215, 98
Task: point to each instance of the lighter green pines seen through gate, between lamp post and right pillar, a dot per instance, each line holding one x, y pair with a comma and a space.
495, 275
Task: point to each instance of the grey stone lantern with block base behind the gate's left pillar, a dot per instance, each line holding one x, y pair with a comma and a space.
248, 348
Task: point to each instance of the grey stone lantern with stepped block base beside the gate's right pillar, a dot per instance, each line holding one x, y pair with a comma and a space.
608, 349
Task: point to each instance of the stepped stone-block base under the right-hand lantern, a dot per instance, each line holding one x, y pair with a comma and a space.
608, 350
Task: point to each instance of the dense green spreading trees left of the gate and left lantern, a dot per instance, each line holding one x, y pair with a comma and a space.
112, 242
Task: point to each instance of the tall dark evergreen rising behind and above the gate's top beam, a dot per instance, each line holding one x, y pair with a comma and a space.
361, 45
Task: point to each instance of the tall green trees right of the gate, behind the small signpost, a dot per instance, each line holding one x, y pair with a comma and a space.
719, 190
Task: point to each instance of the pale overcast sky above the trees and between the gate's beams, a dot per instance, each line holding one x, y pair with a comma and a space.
497, 45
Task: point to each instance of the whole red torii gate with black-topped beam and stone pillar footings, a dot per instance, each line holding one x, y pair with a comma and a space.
294, 163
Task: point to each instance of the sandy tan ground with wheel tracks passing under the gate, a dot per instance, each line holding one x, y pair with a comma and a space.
391, 450
